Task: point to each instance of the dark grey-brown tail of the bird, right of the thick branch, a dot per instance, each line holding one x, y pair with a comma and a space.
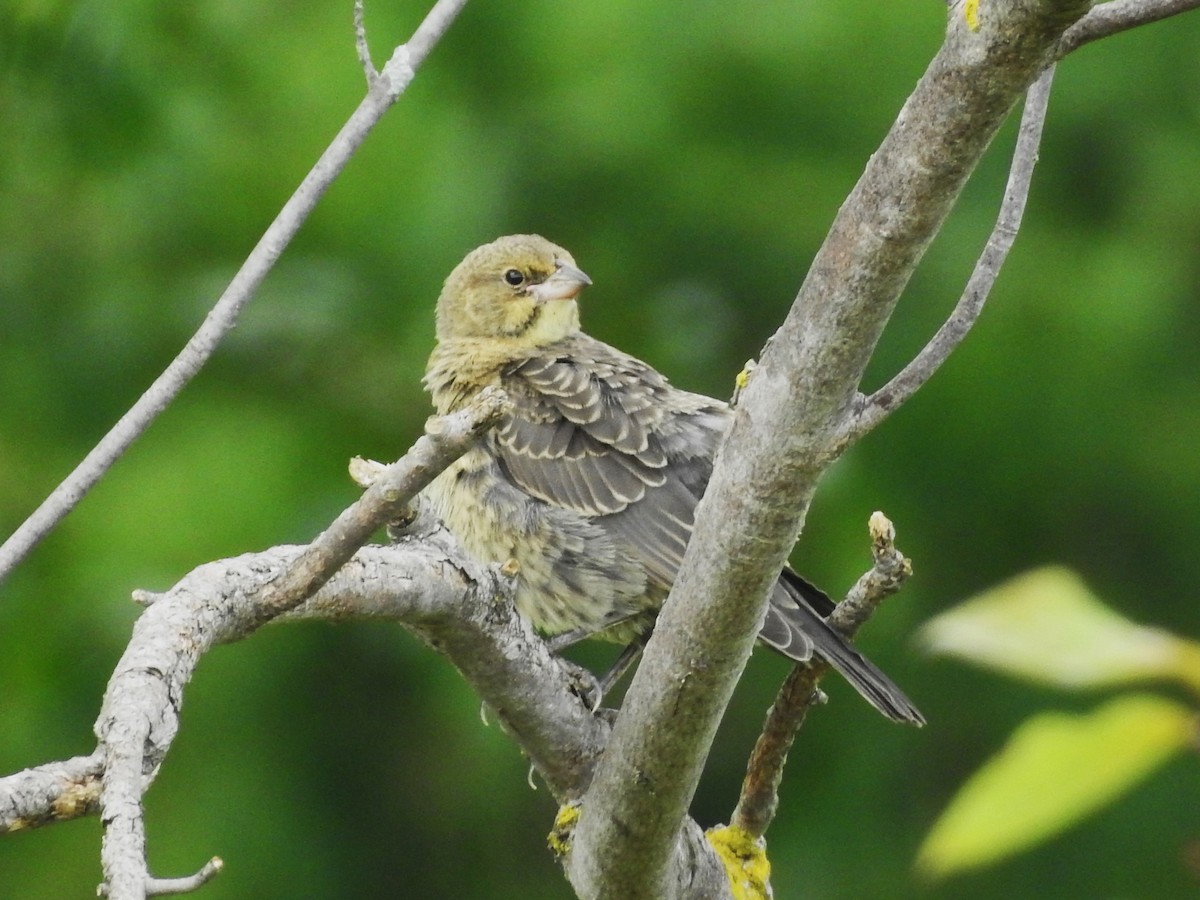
796, 628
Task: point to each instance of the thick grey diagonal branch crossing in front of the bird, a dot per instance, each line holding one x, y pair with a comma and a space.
769, 467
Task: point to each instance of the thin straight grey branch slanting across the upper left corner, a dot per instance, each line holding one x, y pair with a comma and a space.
385, 92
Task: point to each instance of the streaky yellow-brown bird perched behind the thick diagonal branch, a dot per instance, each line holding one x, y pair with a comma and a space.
590, 484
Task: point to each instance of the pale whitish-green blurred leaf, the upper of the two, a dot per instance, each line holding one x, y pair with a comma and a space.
1048, 626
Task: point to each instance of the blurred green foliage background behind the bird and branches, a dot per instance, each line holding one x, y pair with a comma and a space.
692, 157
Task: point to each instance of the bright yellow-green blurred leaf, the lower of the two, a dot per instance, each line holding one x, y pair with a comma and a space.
1055, 770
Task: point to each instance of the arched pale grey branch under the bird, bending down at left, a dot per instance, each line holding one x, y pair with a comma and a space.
429, 585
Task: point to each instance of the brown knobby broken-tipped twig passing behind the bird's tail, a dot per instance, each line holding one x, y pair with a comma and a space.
765, 771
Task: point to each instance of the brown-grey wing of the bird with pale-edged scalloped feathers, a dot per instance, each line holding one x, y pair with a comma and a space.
604, 435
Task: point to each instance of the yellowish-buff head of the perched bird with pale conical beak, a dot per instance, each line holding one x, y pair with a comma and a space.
520, 289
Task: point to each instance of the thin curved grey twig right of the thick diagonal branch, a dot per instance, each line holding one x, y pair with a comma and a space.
886, 400
